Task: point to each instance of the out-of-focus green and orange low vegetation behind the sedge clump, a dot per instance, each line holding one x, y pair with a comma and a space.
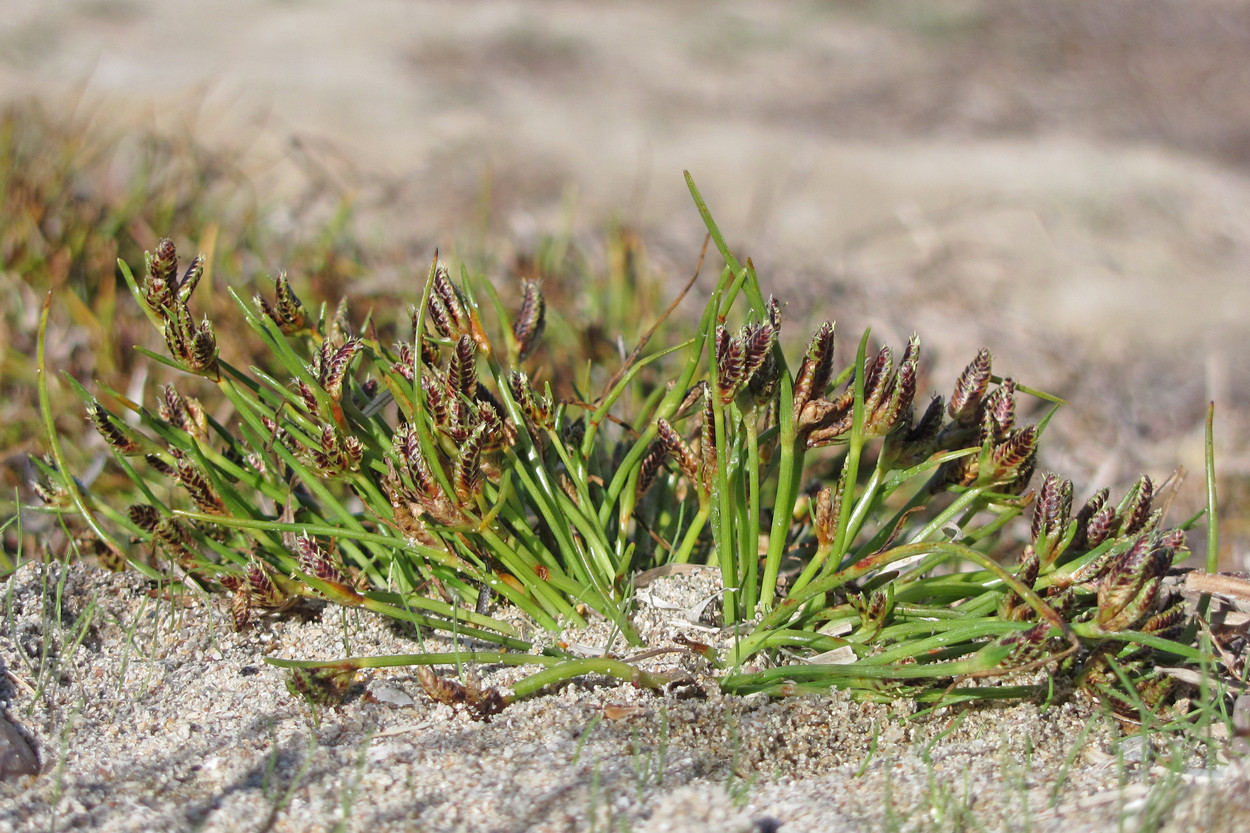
77, 197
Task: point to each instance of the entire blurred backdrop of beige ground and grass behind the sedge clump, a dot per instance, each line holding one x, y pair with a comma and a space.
1067, 183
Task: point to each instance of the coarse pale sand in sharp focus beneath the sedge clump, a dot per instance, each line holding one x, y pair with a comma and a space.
152, 715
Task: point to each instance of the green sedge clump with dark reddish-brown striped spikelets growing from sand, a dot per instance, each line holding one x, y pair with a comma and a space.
866, 540
